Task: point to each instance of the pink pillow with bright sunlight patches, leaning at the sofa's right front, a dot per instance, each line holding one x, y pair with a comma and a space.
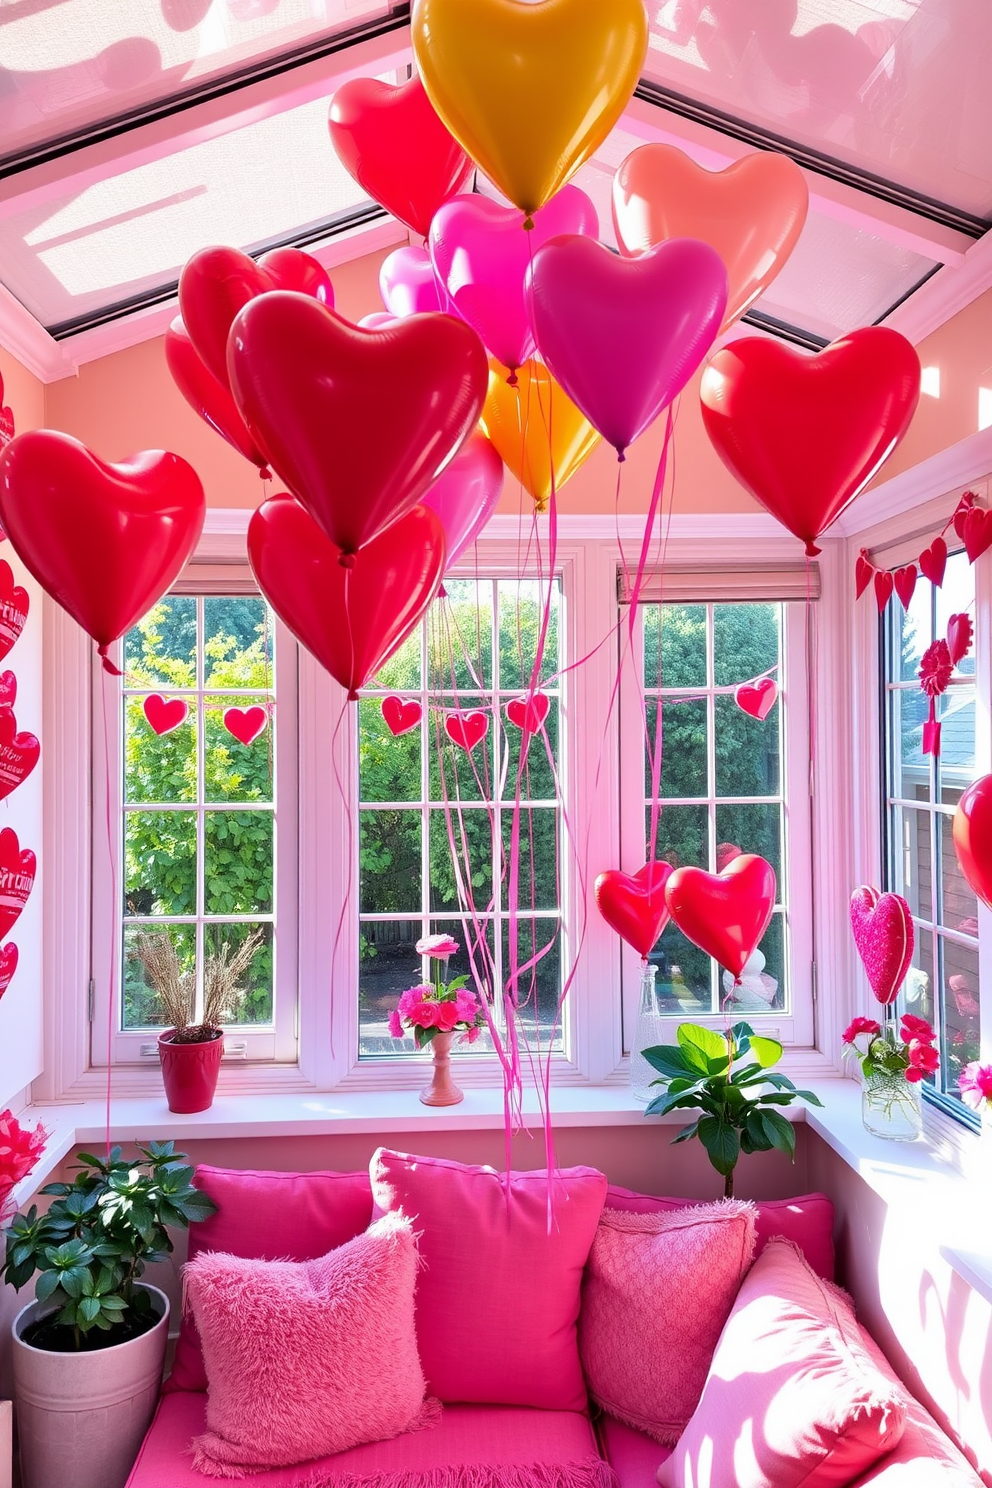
793, 1396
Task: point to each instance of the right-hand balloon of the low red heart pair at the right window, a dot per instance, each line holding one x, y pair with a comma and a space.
725, 914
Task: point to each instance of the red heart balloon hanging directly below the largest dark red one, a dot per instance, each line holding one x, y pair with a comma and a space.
350, 620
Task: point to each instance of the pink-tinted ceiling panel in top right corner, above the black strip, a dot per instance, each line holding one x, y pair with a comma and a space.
895, 87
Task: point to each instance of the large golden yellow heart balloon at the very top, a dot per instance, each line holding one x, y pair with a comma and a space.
530, 89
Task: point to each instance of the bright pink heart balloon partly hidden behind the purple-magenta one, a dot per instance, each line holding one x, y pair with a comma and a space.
481, 255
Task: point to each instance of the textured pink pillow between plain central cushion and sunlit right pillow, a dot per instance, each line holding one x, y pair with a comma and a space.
657, 1295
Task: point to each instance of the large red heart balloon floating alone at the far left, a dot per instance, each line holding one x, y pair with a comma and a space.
105, 541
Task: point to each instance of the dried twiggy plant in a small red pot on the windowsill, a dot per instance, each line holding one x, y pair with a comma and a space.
191, 1053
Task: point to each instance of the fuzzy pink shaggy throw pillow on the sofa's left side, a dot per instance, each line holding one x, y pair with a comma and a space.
307, 1358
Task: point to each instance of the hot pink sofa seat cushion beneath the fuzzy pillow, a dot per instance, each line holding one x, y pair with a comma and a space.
520, 1449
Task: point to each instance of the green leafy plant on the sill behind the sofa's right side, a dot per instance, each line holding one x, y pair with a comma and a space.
728, 1078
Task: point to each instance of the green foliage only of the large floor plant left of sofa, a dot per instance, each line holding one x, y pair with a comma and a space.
94, 1243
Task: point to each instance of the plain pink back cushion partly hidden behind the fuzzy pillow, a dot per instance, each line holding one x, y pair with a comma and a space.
270, 1216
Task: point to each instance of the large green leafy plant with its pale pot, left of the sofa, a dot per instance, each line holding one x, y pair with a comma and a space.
88, 1352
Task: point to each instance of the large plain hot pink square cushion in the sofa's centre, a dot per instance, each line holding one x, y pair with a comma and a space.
499, 1298
